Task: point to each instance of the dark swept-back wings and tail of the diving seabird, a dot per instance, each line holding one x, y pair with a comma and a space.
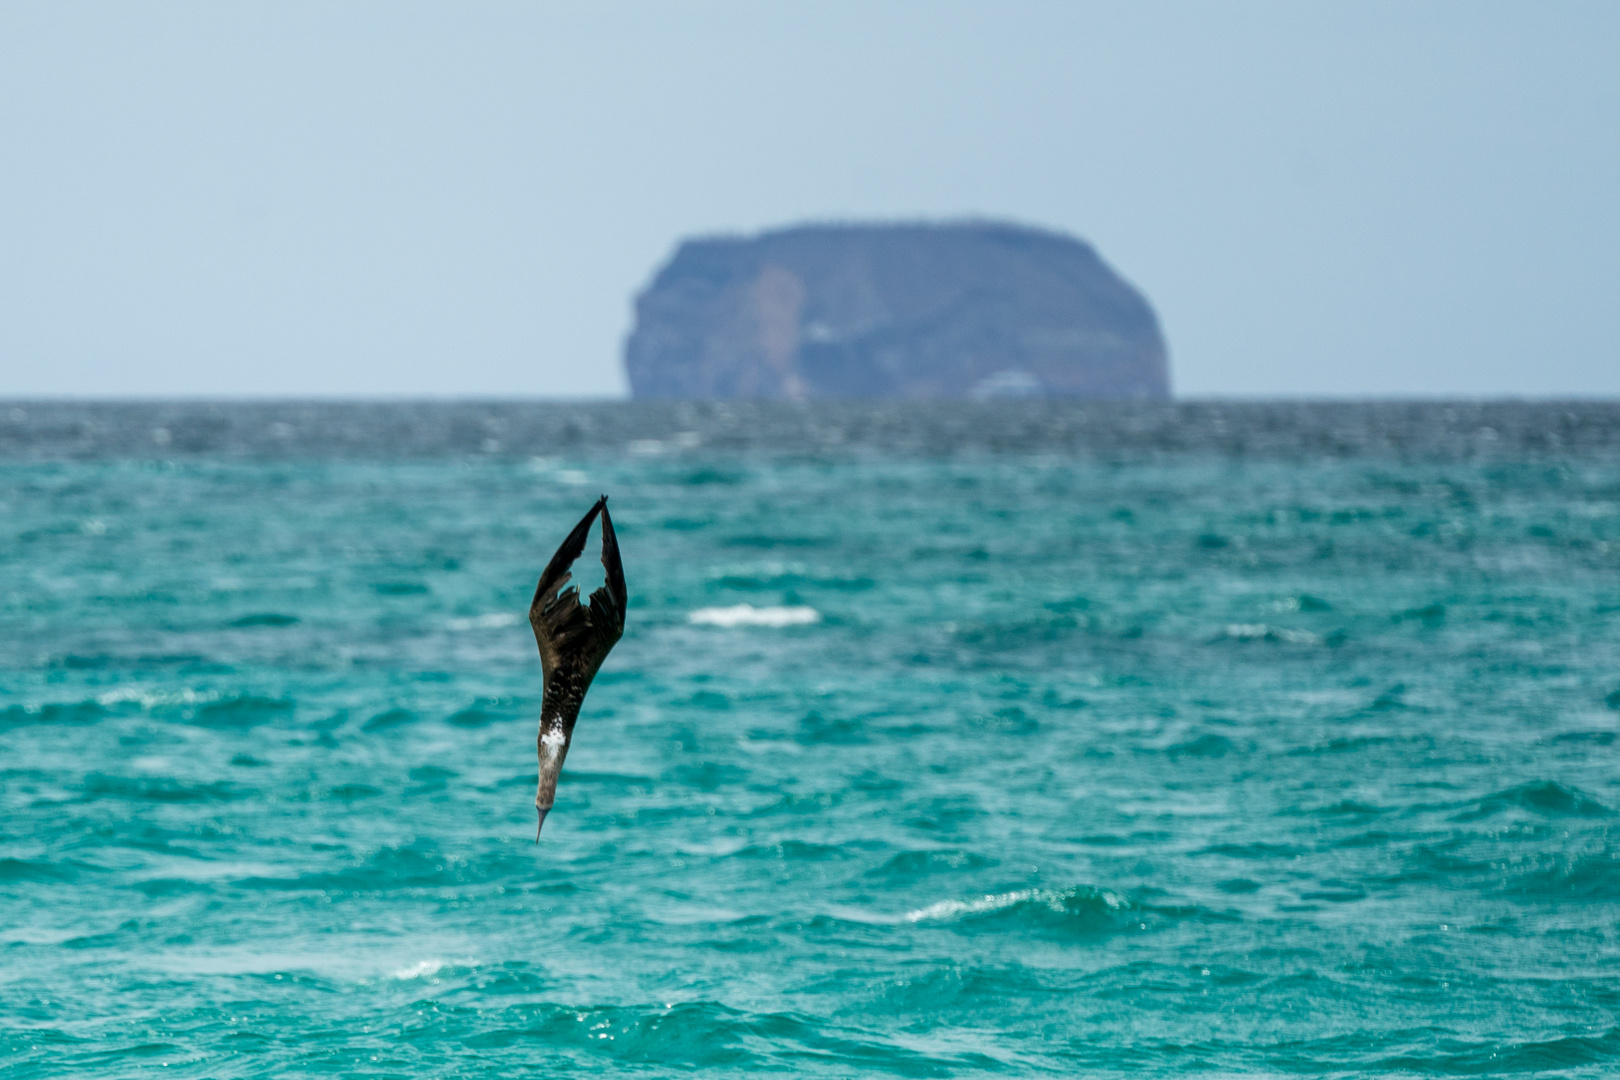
571, 636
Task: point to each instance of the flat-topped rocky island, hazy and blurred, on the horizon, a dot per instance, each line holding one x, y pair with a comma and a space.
893, 312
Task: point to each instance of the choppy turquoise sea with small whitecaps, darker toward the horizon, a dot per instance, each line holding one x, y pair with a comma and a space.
957, 742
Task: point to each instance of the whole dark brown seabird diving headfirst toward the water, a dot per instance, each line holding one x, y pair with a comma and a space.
574, 640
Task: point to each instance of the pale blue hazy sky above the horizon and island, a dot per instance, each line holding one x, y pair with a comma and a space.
463, 198
